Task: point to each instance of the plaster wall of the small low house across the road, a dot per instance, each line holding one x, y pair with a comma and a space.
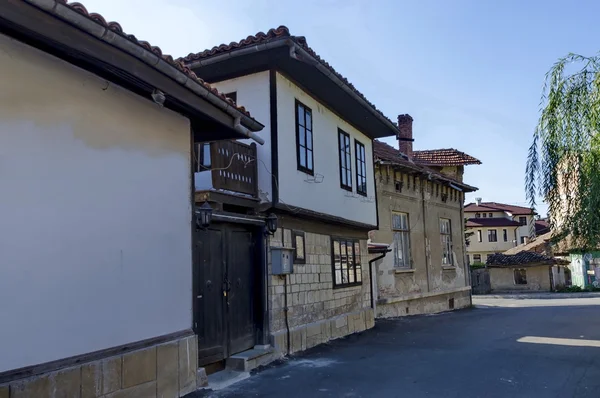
503, 279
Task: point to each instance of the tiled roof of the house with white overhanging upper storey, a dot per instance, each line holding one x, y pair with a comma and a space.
282, 32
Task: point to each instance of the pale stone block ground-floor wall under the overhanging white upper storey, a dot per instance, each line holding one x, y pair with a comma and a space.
317, 312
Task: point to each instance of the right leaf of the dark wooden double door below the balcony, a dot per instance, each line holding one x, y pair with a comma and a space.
240, 298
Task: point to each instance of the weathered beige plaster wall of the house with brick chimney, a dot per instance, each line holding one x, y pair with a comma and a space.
422, 200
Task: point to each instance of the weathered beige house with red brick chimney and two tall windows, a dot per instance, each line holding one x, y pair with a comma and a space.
420, 217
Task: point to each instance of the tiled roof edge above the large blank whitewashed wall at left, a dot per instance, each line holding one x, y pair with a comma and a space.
115, 27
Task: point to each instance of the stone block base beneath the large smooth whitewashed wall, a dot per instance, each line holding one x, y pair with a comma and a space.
163, 370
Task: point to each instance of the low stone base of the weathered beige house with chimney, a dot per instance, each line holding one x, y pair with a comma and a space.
428, 304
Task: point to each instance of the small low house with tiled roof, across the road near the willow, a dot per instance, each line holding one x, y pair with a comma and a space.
523, 271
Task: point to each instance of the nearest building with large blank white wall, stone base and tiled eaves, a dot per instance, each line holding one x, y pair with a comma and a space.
95, 146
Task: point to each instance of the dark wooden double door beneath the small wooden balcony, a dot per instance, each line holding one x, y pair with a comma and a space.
225, 272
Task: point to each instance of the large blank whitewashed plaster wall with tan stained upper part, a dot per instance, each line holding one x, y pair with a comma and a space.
95, 209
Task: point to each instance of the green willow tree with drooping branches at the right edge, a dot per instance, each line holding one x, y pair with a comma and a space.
563, 165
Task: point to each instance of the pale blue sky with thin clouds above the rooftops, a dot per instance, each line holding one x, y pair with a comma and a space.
470, 72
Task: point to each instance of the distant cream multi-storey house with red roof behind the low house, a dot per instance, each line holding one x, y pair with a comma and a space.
496, 227
